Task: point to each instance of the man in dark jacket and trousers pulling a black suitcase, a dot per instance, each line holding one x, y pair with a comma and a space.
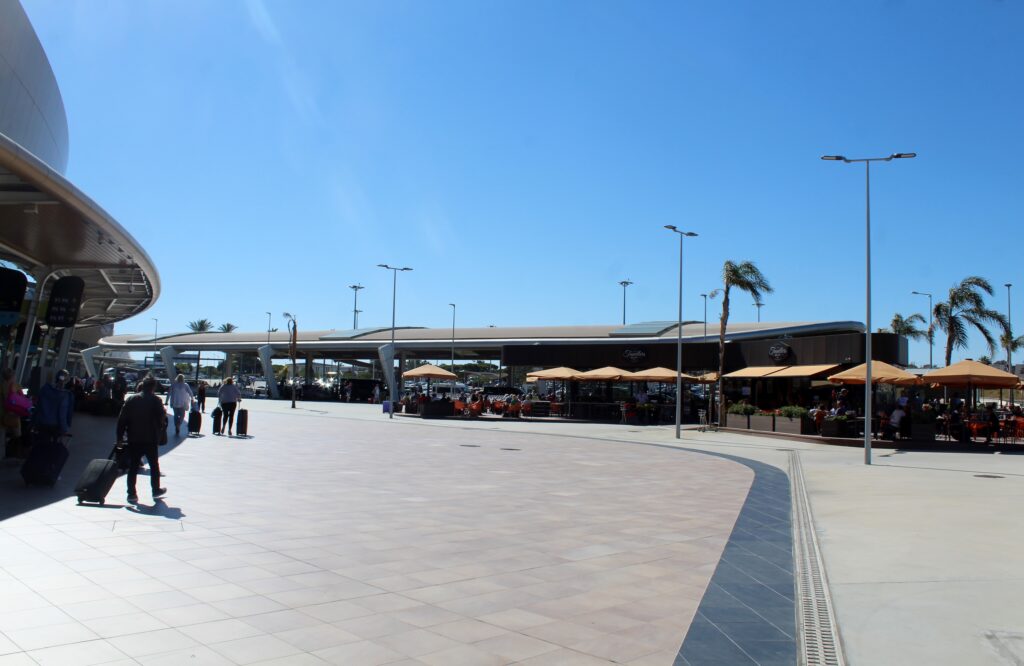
144, 420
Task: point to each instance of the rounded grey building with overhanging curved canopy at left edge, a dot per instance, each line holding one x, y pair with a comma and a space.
68, 270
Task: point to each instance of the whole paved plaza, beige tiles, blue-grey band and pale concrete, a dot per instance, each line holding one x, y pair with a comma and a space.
335, 535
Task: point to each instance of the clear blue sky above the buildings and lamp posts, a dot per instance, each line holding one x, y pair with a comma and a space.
524, 157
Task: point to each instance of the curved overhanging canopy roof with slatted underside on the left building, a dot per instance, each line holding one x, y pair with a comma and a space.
51, 228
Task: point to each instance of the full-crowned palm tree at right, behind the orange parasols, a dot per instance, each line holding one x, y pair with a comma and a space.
966, 307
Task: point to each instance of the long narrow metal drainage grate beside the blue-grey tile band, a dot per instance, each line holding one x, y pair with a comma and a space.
819, 636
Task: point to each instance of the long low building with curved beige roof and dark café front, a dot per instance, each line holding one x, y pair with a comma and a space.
805, 351
